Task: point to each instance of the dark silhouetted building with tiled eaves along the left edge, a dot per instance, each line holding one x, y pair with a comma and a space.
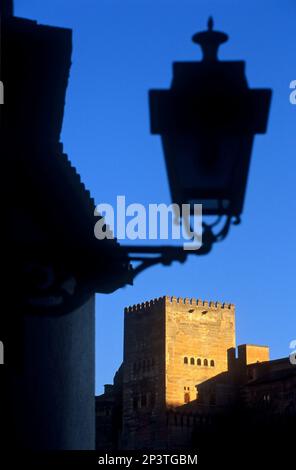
52, 263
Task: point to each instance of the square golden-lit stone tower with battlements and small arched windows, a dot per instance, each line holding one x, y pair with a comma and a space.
170, 345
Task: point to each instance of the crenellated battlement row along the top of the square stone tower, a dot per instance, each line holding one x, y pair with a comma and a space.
184, 302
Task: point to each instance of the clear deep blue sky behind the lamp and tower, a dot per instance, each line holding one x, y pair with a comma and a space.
122, 48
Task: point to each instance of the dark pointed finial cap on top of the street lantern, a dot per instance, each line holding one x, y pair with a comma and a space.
210, 41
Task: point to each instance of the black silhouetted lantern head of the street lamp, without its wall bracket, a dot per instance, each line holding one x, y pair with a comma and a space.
207, 121
